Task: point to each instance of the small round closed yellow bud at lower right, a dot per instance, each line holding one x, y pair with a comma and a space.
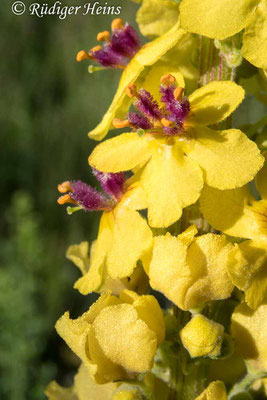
202, 337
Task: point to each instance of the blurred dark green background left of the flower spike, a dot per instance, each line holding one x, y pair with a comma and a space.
48, 104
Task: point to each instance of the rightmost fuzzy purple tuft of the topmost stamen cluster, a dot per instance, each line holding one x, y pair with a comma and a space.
125, 41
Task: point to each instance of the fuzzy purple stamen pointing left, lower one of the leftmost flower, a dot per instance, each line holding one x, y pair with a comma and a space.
87, 197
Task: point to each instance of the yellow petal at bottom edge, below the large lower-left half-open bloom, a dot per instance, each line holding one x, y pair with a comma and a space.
87, 389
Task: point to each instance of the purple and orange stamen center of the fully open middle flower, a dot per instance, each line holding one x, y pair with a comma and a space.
167, 118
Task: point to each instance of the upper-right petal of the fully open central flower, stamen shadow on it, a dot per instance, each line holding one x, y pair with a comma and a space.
215, 102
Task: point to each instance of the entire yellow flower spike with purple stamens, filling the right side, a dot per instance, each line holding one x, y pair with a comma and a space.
183, 164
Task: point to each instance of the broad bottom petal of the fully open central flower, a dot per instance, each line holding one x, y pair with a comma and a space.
171, 182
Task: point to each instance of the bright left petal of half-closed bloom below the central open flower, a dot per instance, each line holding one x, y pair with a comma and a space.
168, 271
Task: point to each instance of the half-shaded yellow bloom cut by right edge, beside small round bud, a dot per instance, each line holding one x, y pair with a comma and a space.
249, 331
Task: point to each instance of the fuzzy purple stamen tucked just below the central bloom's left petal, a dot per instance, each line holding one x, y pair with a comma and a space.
112, 184
